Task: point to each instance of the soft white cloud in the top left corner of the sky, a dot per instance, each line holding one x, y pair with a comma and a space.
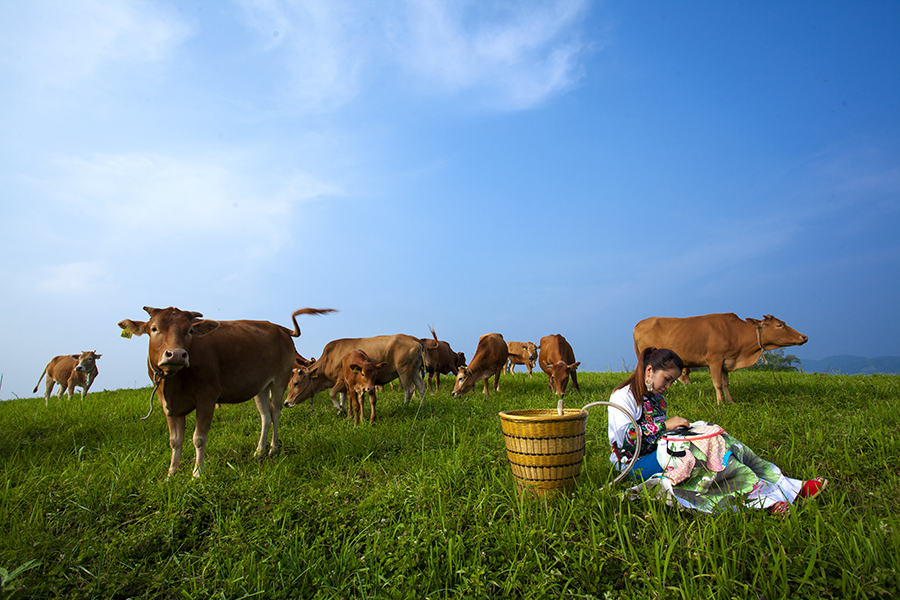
58, 44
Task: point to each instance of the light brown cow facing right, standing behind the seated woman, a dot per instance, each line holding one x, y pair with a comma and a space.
723, 342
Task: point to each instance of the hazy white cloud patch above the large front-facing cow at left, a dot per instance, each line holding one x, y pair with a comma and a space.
136, 198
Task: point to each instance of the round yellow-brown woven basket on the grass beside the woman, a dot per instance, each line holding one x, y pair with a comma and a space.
545, 449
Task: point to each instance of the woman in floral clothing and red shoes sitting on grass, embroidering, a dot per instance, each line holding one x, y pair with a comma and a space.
702, 469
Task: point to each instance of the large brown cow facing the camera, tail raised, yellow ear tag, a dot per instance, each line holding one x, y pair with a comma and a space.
196, 364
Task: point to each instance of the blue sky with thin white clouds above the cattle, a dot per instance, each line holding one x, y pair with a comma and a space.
521, 167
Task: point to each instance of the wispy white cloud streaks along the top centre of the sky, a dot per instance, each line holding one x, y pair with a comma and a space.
504, 55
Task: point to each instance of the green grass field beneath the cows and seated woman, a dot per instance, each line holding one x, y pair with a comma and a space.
423, 503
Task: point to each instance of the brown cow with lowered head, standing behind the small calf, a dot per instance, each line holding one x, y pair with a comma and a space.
403, 354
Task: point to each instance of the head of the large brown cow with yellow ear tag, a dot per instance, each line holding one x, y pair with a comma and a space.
171, 331
